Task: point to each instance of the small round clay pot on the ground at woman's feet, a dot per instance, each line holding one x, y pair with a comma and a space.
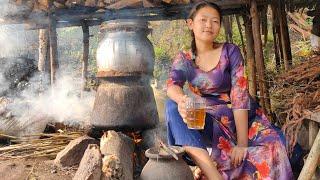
162, 166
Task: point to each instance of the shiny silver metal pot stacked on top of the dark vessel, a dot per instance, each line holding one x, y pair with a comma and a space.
125, 49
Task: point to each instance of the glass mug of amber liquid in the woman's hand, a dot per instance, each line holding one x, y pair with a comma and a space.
196, 112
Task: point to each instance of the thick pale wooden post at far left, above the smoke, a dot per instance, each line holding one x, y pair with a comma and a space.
43, 62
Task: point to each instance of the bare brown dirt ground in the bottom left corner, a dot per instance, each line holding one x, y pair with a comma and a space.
33, 169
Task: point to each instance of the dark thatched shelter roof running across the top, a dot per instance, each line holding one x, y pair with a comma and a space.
34, 13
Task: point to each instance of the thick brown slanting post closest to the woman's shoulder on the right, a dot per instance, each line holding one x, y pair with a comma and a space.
250, 56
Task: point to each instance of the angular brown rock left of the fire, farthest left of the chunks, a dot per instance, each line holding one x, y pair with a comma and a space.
74, 151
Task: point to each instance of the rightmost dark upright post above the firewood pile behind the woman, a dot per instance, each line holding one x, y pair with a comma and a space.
284, 32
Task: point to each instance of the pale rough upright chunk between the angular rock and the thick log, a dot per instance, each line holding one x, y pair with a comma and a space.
90, 165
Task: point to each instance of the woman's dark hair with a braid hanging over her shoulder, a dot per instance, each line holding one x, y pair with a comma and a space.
193, 13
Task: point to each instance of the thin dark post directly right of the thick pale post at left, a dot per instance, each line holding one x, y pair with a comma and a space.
53, 42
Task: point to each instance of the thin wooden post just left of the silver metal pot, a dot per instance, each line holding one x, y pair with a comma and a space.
85, 57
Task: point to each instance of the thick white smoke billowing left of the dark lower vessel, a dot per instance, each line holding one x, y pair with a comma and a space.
35, 107
